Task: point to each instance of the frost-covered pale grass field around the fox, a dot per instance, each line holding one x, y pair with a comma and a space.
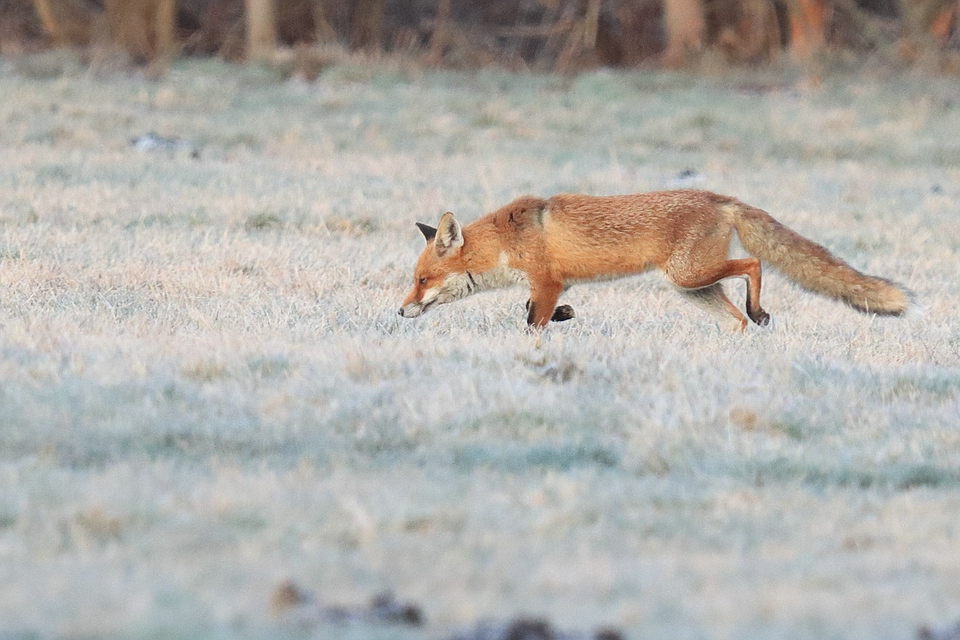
205, 388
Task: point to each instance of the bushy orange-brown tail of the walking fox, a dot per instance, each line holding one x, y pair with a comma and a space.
812, 266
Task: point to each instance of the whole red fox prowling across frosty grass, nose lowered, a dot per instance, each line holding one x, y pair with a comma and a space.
557, 242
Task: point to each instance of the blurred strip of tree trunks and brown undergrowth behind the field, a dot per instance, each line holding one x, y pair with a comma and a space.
538, 35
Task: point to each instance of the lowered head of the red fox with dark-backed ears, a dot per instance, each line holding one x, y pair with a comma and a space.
441, 274
